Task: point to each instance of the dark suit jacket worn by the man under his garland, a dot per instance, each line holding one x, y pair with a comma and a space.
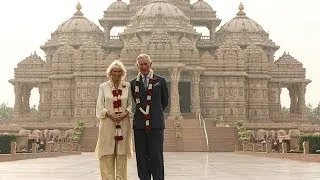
159, 102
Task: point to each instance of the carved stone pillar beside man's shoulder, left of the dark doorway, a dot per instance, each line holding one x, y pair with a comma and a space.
174, 95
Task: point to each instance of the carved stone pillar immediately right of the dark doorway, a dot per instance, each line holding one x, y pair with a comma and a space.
195, 96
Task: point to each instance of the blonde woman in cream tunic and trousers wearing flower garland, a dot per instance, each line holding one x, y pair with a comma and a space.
114, 143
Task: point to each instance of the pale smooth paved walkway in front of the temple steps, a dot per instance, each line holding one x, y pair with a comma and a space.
178, 166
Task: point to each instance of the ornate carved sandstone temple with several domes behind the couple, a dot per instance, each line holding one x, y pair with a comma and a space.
227, 76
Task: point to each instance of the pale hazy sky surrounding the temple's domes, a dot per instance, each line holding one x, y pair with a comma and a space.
292, 24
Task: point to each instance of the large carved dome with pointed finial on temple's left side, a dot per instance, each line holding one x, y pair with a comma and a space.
75, 31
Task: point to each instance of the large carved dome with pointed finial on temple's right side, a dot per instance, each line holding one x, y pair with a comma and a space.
241, 23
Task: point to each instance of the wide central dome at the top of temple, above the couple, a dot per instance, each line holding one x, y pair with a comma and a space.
163, 8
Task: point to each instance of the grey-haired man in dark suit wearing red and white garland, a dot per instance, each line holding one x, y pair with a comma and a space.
150, 94
